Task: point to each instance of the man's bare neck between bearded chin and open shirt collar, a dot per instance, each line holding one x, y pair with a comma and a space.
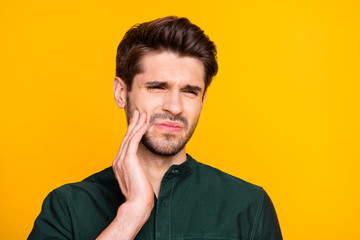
155, 166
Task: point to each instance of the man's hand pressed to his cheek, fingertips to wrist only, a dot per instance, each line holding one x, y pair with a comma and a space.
129, 173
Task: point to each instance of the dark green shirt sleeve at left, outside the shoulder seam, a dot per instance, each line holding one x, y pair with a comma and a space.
53, 221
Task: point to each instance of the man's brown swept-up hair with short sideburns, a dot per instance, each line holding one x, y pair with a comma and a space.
177, 35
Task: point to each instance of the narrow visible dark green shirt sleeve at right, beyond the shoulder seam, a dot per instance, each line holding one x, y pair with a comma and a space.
266, 226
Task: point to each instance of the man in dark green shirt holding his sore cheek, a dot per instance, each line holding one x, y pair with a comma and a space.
154, 190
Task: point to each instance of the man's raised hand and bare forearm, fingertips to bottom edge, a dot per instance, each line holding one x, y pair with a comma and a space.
134, 185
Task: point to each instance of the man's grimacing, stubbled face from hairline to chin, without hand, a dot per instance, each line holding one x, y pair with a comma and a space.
170, 91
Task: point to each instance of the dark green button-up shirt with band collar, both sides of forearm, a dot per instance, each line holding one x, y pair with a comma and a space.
195, 201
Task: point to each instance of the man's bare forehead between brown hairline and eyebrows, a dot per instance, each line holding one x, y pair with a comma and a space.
170, 67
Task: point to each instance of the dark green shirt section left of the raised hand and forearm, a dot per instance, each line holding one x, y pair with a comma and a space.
66, 210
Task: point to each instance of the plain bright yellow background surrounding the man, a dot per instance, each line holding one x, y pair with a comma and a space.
282, 113
